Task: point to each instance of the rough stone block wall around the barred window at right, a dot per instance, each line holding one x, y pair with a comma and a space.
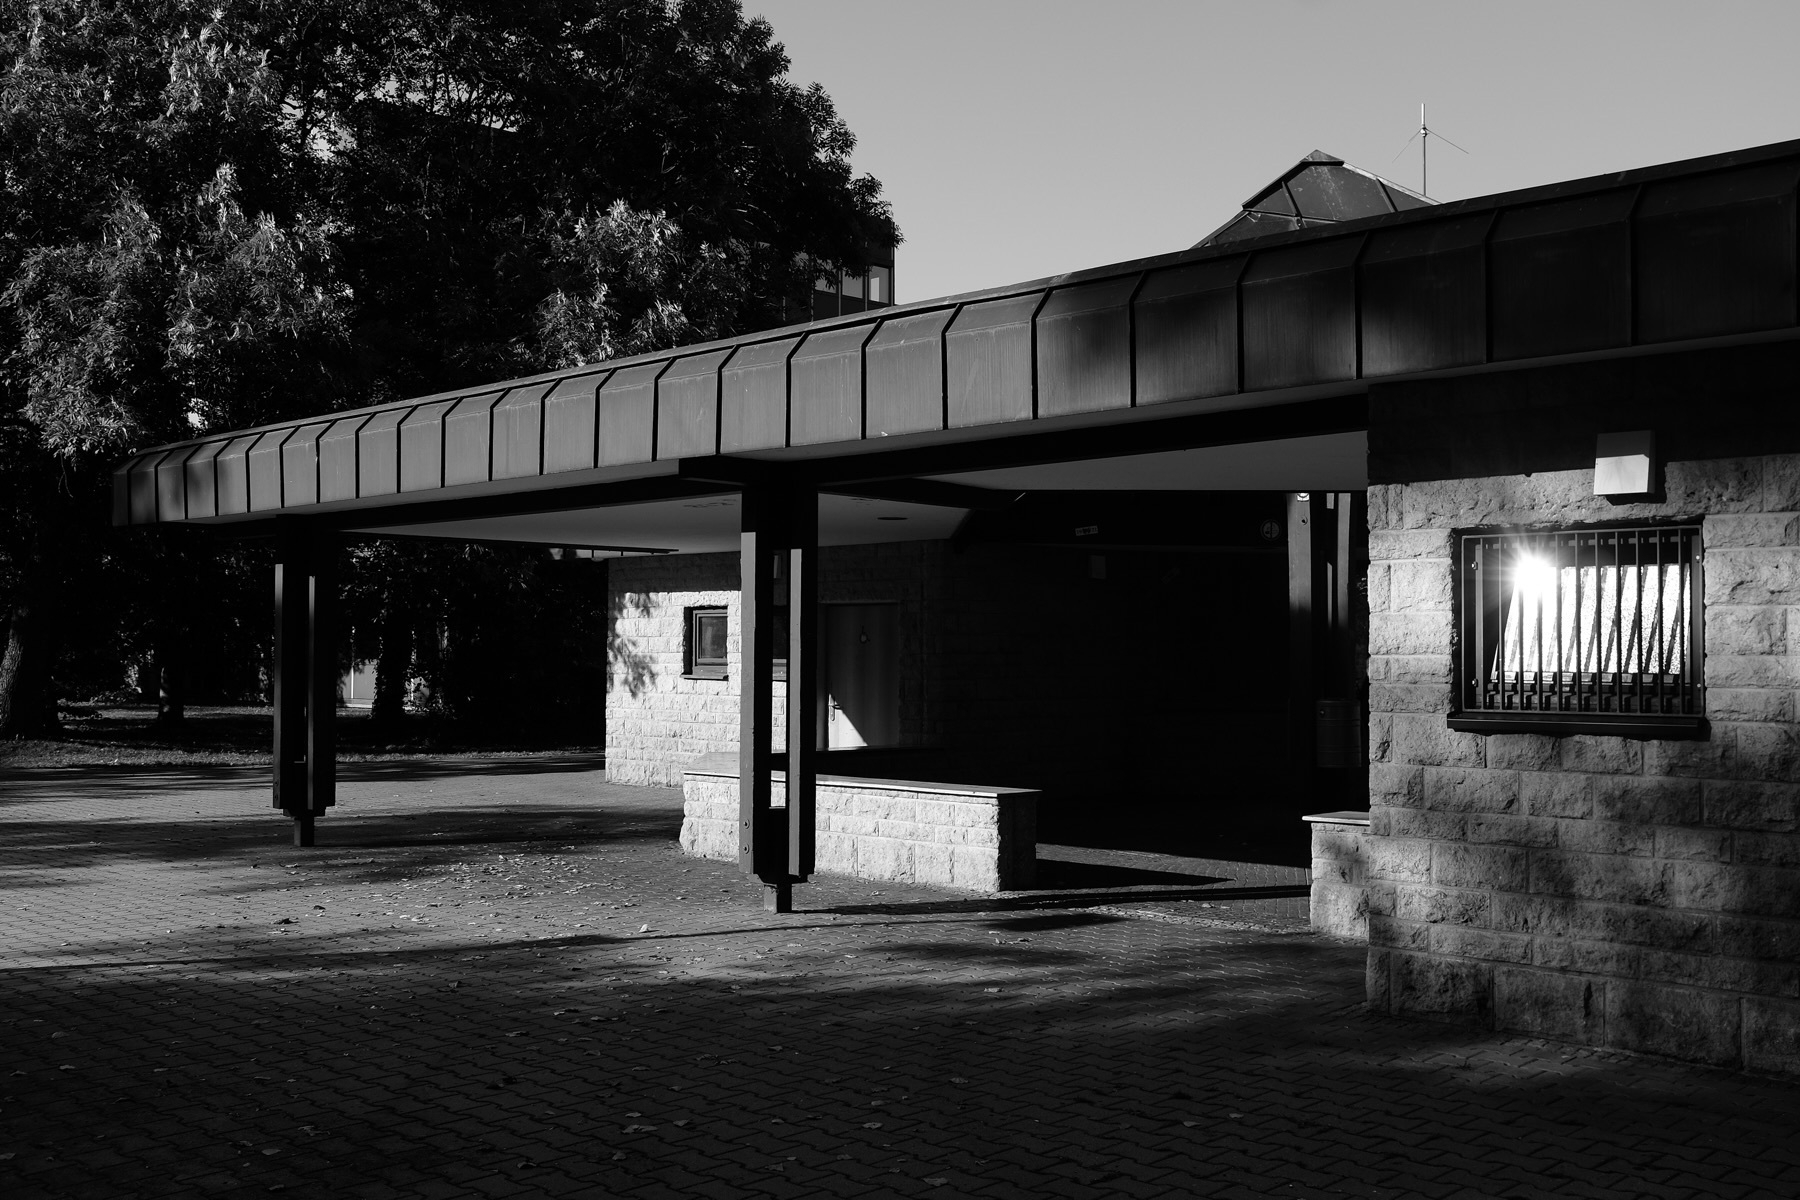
1628, 893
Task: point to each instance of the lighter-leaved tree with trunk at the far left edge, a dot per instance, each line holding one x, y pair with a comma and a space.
145, 289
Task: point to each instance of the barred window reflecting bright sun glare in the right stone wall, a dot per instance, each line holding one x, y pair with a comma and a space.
1576, 629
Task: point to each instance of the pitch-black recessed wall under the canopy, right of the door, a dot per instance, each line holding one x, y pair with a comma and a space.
1140, 690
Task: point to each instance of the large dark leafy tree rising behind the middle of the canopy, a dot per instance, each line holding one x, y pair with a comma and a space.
548, 184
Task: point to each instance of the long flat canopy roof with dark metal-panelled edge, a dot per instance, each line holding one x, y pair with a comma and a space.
1248, 343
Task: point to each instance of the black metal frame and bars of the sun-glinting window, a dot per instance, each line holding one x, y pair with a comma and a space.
1581, 701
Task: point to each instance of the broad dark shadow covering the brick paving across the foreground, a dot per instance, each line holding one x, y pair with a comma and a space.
944, 1055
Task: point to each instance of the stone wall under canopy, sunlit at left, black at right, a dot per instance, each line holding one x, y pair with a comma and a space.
1142, 690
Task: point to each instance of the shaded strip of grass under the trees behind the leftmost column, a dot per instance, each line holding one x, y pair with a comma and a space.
242, 735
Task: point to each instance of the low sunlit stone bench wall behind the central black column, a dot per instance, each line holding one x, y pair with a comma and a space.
895, 830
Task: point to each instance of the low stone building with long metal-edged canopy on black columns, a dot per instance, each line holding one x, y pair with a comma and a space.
1480, 517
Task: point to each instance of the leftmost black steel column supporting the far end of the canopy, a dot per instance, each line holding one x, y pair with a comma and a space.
305, 679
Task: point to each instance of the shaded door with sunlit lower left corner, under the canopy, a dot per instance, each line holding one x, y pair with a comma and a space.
861, 676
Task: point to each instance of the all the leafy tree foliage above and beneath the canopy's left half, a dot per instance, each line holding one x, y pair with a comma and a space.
229, 213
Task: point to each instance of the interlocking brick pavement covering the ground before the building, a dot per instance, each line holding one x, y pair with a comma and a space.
501, 980
